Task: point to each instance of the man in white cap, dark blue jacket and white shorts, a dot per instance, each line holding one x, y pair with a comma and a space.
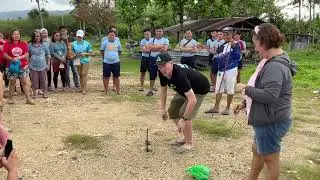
227, 62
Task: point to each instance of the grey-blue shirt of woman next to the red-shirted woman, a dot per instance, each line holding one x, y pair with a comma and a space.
38, 56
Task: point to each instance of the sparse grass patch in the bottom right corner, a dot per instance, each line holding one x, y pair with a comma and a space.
308, 172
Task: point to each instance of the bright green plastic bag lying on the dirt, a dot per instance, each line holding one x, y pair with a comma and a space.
199, 172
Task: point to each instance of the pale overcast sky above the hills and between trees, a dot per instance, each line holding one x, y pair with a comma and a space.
17, 5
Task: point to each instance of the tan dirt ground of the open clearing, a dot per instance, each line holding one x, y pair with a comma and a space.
120, 123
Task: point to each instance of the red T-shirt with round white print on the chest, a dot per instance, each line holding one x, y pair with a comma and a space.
15, 50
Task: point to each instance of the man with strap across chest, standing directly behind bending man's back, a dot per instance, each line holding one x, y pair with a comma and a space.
189, 48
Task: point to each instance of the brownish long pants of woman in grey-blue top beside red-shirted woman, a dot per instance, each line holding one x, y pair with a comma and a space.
38, 80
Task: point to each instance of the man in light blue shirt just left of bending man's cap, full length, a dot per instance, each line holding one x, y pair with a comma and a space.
145, 58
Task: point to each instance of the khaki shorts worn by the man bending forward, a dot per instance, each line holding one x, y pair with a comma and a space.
178, 106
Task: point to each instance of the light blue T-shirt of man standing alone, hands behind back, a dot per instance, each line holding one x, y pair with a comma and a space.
111, 51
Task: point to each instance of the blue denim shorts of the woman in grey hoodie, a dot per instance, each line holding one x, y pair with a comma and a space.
268, 138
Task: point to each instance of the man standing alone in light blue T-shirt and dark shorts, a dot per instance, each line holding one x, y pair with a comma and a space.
111, 51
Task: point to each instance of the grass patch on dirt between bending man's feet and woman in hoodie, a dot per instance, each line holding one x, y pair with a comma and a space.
216, 129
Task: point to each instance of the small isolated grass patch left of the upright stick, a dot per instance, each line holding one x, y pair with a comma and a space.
84, 142
